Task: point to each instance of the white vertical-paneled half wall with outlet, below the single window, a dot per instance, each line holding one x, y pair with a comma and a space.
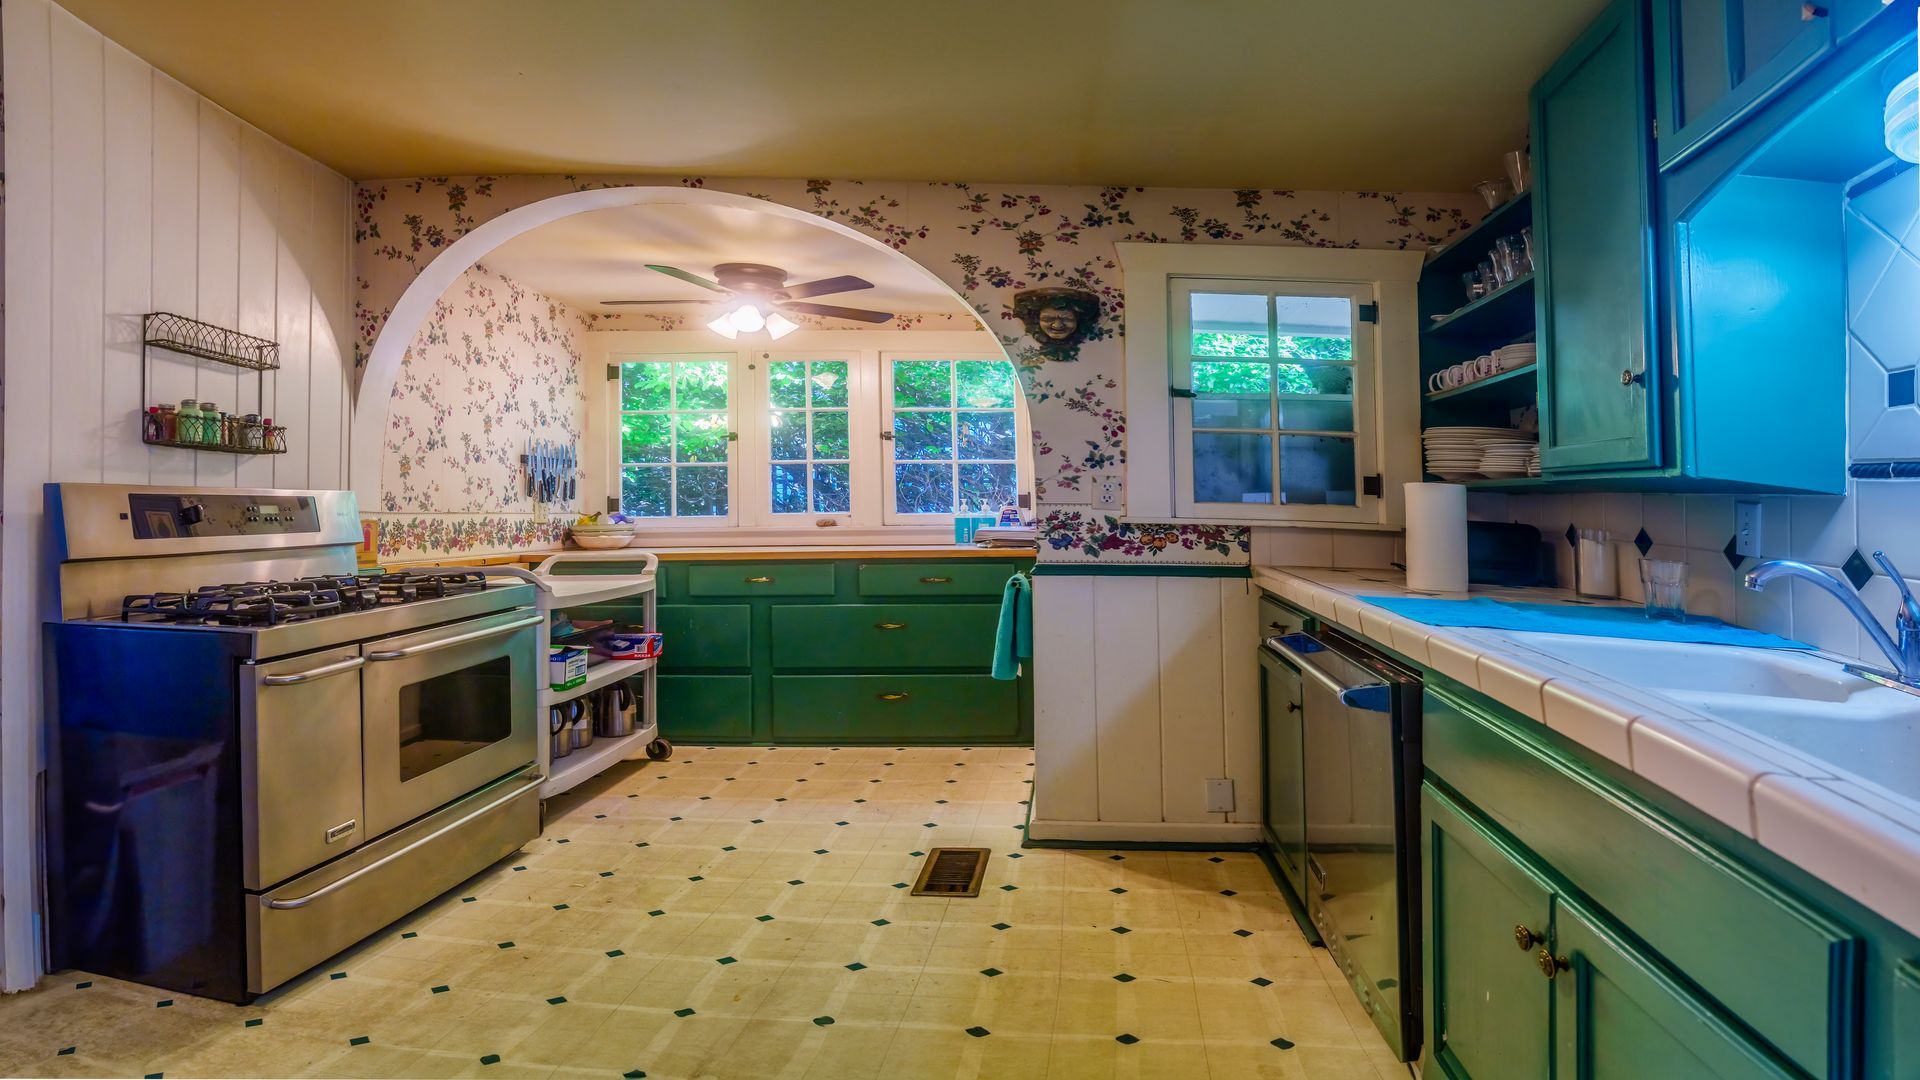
1147, 693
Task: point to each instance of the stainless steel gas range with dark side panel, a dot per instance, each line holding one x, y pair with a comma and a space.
260, 756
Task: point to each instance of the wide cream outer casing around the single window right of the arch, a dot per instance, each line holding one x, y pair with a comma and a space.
1161, 424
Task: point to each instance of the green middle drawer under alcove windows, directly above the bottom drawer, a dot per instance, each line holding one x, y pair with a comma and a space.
884, 637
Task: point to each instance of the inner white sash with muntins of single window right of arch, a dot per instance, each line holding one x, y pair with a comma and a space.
1366, 372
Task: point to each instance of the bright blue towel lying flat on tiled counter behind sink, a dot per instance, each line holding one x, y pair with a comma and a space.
1577, 620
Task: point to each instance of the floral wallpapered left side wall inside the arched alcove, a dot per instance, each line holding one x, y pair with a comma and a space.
494, 368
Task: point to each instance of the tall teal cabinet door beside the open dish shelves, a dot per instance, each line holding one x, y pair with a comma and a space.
1595, 253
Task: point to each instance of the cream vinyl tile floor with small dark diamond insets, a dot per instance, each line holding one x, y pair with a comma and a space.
746, 914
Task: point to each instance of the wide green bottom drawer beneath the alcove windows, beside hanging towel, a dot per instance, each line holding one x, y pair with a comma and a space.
900, 708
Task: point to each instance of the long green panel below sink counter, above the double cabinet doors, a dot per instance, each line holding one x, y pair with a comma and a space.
1698, 908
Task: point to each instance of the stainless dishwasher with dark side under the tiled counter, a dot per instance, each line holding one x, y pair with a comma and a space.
1343, 731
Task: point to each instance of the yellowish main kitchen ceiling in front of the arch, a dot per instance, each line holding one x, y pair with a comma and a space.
1332, 95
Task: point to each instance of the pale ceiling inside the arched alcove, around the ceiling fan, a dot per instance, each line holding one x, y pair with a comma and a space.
602, 257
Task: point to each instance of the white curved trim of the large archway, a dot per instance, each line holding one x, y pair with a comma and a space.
418, 303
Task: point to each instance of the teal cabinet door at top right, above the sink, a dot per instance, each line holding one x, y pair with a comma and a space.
1716, 61
